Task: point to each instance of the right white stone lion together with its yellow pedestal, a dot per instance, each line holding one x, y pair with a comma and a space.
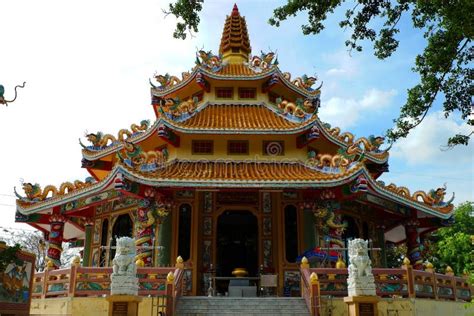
362, 298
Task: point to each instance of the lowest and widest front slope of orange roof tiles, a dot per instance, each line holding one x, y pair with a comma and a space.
243, 171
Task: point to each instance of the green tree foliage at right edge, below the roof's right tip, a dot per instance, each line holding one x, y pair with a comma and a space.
453, 246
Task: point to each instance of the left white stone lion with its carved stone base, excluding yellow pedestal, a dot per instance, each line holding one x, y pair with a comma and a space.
124, 277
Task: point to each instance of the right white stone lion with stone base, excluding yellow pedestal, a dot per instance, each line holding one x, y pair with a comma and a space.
361, 279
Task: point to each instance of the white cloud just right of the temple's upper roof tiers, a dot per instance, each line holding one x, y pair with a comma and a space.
345, 113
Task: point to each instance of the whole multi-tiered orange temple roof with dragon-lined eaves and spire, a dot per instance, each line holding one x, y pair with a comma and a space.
158, 154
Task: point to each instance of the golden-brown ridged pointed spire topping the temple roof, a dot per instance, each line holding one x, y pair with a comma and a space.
235, 44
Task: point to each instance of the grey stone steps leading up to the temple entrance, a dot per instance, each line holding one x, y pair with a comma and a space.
197, 306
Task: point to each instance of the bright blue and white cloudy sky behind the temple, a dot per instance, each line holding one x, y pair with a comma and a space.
87, 65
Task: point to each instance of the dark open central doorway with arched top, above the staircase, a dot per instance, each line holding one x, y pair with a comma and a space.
237, 242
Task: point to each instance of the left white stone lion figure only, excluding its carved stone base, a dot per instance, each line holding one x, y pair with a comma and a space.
124, 260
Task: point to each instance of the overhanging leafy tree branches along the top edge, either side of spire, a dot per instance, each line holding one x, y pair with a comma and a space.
444, 66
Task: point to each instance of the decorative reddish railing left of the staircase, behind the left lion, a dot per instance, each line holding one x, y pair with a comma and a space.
76, 281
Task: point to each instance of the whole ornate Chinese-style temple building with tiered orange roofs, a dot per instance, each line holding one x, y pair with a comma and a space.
236, 171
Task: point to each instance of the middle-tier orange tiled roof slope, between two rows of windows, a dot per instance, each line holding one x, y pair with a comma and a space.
241, 117
